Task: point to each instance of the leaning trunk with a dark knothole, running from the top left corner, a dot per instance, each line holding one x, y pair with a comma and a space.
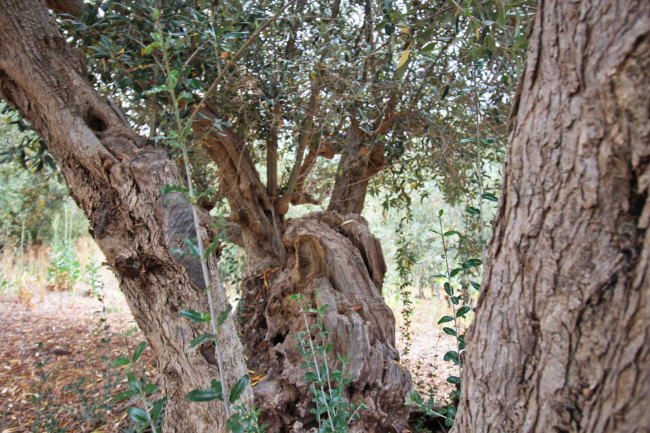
117, 183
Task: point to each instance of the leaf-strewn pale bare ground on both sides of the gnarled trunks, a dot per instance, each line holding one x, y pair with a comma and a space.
55, 358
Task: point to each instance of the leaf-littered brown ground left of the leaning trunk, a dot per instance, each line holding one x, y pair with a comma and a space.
55, 363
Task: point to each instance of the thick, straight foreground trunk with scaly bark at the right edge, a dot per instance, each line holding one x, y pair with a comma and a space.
560, 341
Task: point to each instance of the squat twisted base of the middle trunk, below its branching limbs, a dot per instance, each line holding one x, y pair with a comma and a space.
338, 257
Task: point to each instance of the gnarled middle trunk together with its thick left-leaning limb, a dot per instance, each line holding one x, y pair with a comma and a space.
327, 252
